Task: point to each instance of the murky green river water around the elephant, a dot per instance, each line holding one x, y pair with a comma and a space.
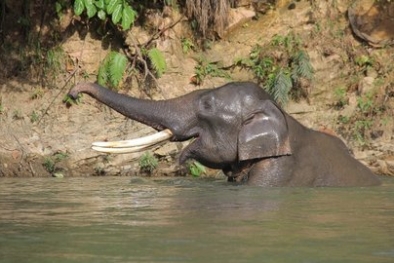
125, 219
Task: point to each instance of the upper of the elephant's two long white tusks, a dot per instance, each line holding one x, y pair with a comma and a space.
147, 140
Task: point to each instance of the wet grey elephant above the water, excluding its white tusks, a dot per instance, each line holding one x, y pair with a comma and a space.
238, 128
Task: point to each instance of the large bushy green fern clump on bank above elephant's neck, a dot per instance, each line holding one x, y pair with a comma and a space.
280, 65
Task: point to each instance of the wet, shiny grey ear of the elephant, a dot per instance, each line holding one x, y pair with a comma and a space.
264, 134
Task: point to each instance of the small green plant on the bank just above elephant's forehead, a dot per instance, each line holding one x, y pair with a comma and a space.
205, 68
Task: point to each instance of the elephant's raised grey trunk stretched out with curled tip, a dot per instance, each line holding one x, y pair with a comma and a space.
172, 114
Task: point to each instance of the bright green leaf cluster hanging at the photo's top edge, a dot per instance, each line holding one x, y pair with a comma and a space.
119, 11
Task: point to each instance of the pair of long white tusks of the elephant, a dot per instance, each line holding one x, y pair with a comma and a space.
133, 145
